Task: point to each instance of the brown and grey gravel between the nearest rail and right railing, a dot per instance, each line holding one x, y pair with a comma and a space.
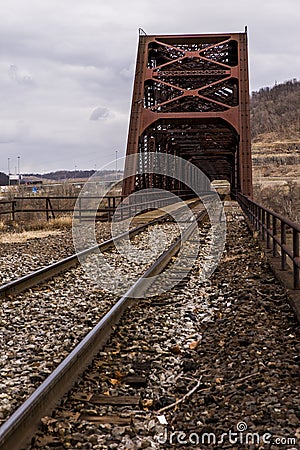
226, 350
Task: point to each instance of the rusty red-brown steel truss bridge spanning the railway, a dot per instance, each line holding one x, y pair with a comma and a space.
191, 99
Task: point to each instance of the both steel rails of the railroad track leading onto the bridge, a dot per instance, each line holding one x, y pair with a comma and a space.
22, 423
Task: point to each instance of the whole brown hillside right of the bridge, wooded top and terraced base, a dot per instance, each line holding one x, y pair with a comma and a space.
275, 132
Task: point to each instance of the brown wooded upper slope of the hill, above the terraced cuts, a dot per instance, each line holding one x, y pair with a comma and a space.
275, 112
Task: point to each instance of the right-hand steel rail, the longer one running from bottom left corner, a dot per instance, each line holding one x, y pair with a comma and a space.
23, 423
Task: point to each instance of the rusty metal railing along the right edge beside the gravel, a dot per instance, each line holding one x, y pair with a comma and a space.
275, 229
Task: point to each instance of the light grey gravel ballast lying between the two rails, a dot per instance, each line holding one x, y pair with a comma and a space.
42, 325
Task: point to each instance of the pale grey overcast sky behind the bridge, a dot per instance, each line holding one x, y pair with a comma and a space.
67, 66
